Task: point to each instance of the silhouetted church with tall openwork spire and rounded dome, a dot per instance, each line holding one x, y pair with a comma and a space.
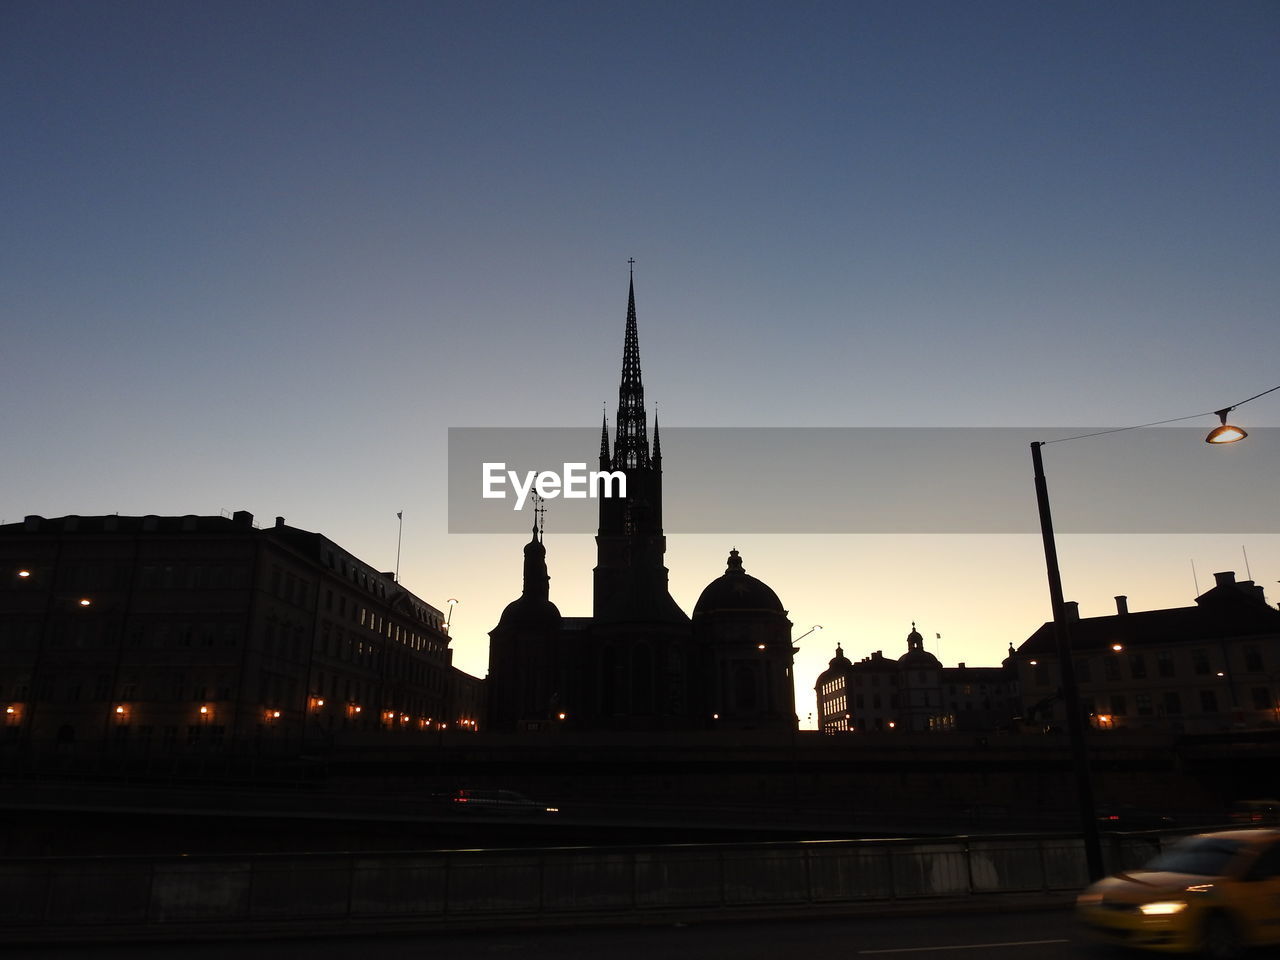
641, 662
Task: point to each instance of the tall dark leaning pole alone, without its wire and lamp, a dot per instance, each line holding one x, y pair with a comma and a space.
1067, 668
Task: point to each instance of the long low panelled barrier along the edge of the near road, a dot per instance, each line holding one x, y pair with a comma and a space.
152, 893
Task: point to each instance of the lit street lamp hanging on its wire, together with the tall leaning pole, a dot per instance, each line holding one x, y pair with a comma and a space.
1063, 633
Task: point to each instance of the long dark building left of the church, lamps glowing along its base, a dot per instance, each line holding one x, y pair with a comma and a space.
166, 636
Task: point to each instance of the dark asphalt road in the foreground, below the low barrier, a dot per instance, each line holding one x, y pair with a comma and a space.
1009, 936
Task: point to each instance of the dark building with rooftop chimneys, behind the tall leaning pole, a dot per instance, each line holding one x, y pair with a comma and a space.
1210, 668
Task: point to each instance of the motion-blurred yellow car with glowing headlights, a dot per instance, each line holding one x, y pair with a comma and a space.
1217, 894
